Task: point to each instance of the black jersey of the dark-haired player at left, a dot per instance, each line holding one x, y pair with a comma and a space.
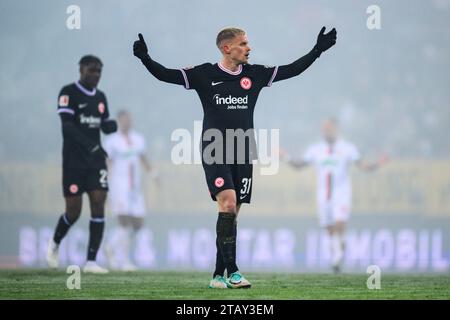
82, 114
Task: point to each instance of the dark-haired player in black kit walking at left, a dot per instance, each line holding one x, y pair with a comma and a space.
84, 112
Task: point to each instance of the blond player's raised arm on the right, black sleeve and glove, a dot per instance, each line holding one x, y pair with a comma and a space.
324, 42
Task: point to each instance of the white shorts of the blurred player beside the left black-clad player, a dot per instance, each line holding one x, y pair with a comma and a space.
127, 202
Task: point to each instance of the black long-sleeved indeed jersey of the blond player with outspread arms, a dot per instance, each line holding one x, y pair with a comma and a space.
229, 98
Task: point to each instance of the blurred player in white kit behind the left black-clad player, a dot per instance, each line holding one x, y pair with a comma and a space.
126, 150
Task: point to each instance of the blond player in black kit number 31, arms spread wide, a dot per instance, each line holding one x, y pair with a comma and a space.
228, 91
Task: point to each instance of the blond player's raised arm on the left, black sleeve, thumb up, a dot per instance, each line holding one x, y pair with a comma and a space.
160, 72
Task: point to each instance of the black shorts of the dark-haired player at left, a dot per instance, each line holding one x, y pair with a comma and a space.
76, 181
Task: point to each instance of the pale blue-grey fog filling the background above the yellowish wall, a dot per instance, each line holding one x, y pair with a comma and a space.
388, 87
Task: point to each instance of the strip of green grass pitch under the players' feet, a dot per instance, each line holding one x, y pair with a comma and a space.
45, 284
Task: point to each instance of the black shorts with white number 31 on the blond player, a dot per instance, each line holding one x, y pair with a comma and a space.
230, 176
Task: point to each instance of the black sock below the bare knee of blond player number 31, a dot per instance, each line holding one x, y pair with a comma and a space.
227, 240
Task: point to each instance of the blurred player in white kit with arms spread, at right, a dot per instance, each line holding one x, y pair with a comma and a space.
332, 159
